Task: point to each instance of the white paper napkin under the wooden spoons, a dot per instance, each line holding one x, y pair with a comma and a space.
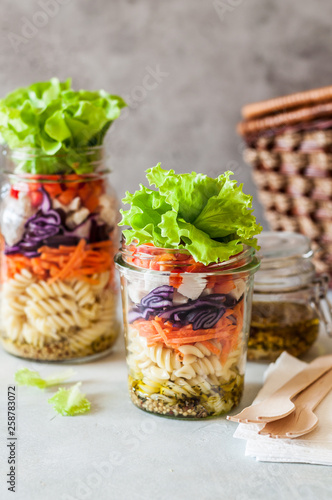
313, 448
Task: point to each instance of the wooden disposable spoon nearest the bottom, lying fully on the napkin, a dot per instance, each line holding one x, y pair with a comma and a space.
302, 420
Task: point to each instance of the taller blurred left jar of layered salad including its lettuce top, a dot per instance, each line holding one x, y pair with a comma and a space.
58, 224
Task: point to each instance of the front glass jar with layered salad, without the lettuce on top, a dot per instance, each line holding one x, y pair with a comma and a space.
186, 327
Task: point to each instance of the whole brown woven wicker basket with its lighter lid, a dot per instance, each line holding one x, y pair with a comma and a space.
289, 145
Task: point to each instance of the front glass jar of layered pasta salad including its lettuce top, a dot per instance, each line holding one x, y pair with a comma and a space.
186, 266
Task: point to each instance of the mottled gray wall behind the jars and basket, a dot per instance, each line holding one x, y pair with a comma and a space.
214, 57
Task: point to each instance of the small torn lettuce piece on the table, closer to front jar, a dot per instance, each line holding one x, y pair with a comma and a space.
70, 401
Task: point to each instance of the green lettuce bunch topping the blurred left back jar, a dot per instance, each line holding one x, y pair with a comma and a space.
52, 117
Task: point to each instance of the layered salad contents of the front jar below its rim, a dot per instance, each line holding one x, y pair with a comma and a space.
186, 344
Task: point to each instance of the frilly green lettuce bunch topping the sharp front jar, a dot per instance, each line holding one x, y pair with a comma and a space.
210, 218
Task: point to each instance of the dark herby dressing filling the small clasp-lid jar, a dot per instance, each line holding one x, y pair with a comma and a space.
281, 326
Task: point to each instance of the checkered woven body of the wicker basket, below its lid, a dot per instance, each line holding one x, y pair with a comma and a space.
293, 174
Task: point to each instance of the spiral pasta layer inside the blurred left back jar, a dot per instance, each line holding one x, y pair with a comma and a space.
39, 313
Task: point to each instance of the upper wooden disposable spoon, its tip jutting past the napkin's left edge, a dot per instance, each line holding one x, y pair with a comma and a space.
279, 404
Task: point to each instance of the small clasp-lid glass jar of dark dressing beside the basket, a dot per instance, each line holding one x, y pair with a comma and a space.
290, 300
